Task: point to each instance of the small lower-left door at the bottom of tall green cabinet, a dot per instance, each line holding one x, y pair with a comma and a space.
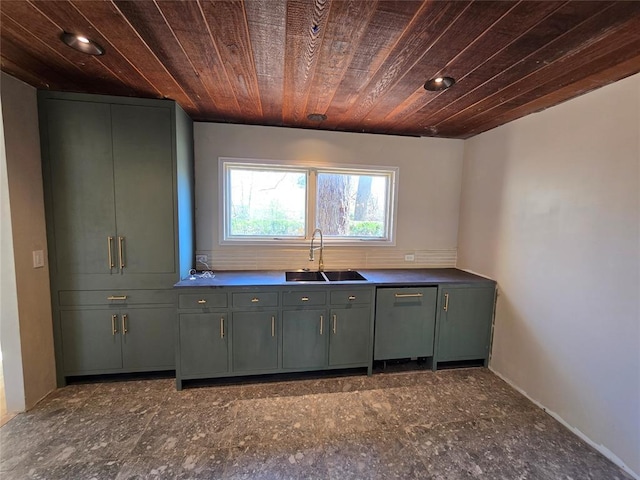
91, 341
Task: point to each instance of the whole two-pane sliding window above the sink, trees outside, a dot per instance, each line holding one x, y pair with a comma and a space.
276, 203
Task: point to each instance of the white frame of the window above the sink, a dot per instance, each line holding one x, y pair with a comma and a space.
311, 170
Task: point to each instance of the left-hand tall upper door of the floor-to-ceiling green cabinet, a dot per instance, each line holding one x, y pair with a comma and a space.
80, 168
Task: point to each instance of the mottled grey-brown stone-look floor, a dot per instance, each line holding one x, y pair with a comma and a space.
452, 424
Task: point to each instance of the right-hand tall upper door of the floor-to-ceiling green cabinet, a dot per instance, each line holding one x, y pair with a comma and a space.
144, 196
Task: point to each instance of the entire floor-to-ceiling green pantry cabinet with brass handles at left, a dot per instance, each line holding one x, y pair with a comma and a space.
118, 181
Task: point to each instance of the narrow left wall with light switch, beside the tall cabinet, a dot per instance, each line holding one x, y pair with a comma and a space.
34, 347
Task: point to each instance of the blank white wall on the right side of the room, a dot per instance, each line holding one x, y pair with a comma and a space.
550, 208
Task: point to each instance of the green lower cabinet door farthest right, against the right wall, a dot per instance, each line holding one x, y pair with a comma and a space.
465, 324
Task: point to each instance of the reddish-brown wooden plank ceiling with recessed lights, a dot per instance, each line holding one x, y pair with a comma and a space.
362, 63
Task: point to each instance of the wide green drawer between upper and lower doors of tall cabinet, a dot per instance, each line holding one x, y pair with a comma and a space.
69, 298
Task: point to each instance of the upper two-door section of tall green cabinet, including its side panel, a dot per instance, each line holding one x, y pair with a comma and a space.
119, 191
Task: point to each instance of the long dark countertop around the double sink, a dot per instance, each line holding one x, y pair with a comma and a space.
391, 277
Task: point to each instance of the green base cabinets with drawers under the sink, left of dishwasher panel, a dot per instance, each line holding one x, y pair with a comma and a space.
272, 331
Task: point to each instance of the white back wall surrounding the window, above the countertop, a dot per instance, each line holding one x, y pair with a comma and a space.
428, 202
